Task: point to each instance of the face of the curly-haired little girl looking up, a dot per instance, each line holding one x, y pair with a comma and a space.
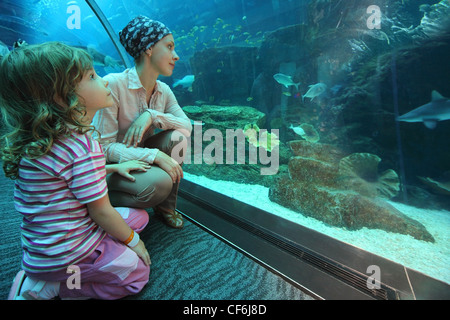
93, 93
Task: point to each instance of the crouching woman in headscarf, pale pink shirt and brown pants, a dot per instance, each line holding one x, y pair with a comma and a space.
142, 104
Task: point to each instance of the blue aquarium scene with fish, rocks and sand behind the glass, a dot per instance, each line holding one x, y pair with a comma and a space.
333, 114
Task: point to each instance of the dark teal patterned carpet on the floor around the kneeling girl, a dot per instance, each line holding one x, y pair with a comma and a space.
187, 264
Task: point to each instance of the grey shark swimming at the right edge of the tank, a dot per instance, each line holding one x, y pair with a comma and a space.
438, 109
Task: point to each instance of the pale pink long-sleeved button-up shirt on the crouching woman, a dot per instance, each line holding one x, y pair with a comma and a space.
129, 103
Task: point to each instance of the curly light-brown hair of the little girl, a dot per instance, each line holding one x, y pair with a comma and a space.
38, 101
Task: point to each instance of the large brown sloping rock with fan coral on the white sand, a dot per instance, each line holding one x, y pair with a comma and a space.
314, 187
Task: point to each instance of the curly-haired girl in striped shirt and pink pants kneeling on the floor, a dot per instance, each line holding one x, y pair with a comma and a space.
48, 96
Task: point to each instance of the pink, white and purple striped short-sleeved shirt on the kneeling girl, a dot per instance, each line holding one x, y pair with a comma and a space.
51, 193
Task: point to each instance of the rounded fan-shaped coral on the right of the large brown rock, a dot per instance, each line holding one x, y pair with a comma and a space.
359, 172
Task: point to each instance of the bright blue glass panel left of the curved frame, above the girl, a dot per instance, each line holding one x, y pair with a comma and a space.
72, 22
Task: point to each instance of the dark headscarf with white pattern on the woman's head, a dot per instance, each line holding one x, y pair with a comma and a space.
140, 34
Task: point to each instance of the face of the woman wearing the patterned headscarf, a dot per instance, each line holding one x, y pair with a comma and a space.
163, 56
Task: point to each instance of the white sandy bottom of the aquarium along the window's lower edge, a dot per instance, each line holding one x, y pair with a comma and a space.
432, 259
